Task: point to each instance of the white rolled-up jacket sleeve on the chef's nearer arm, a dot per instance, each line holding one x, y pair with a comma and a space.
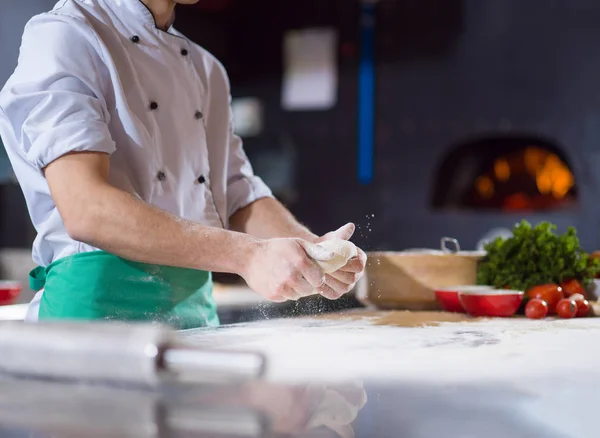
54, 102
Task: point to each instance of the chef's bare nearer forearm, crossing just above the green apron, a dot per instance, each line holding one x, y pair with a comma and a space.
130, 228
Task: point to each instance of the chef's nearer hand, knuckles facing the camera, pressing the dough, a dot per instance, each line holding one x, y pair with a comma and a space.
280, 270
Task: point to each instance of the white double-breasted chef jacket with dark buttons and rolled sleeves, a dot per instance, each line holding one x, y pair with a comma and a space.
98, 75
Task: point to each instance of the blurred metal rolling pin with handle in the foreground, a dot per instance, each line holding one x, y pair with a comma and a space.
146, 354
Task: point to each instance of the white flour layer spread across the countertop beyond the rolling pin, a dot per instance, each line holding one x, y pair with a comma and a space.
351, 348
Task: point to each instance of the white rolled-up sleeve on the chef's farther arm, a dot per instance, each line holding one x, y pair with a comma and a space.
243, 187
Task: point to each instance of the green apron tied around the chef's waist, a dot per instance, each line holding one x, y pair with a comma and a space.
98, 285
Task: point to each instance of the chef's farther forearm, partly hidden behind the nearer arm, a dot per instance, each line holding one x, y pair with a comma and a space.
268, 218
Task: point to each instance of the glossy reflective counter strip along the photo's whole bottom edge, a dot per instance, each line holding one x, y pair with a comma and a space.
395, 409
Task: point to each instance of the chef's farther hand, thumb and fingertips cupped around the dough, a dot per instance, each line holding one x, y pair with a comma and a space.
343, 280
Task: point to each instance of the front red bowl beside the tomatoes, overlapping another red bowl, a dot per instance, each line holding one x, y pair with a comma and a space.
492, 302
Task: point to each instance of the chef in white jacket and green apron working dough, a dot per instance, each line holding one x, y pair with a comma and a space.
119, 131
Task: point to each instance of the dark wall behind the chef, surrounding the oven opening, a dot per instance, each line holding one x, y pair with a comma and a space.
447, 71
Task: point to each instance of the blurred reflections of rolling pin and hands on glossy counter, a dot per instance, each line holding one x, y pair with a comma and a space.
255, 410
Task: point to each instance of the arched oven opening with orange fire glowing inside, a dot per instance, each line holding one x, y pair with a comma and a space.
510, 174
